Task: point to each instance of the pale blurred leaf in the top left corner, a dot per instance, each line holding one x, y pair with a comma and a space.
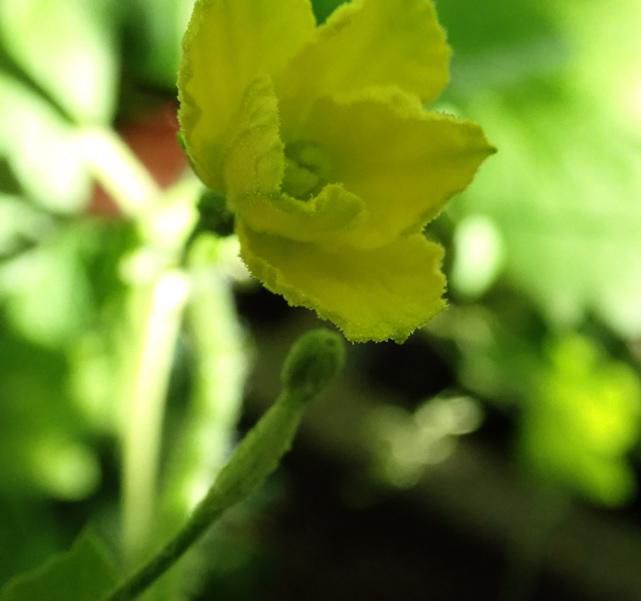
67, 47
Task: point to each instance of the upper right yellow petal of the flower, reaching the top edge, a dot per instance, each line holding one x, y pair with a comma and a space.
367, 43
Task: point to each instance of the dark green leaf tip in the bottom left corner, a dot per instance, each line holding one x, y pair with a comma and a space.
84, 573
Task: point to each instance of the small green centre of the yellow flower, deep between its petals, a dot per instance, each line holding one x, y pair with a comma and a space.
306, 170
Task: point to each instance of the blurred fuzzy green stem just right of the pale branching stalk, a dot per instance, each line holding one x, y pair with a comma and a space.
215, 401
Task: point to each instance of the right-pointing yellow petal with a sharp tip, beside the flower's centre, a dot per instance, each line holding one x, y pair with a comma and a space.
403, 161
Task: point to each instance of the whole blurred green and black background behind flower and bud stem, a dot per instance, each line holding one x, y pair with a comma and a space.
494, 456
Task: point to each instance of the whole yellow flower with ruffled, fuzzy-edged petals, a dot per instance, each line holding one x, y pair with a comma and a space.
317, 138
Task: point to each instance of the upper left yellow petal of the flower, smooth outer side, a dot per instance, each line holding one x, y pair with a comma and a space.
227, 45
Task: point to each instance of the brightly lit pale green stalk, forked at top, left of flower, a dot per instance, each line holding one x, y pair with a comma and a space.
157, 295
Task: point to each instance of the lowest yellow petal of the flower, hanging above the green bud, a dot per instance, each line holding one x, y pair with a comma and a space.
371, 295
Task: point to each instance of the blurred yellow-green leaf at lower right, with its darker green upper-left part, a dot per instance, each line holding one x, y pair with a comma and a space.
579, 410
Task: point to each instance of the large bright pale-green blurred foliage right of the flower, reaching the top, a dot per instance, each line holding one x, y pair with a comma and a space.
562, 196
